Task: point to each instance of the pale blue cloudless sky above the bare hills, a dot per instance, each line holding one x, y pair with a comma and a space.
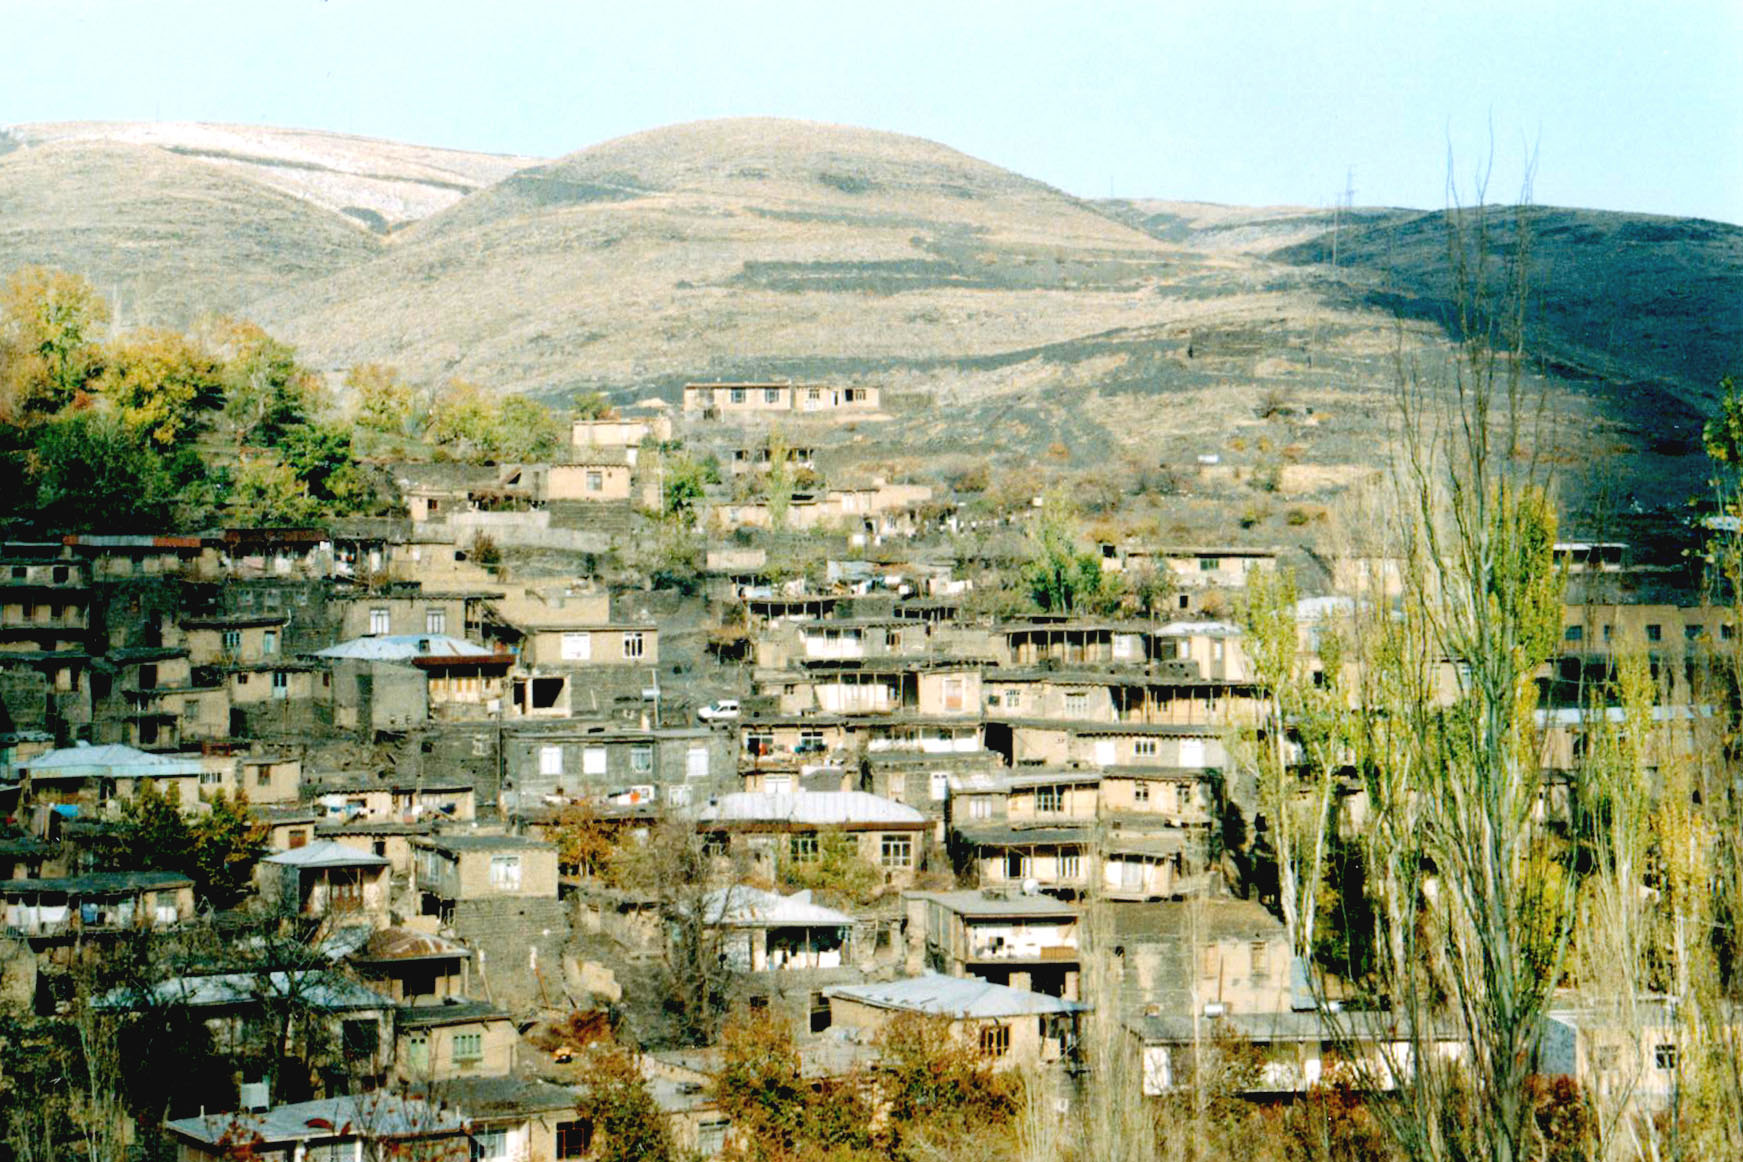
1624, 105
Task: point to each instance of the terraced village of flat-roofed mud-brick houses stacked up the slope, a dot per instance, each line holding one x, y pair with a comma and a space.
417, 834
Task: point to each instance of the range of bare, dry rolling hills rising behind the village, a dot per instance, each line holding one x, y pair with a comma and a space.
1005, 318
